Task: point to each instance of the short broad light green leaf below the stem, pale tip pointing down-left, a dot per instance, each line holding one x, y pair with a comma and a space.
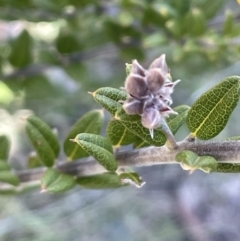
54, 181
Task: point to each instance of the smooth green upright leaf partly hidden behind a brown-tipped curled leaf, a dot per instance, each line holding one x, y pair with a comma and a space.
91, 122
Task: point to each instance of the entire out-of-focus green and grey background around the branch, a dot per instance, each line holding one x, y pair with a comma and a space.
53, 52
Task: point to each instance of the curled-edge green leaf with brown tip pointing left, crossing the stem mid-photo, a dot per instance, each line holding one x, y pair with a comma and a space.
100, 148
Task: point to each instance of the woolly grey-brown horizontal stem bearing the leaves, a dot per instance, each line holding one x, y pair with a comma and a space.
224, 152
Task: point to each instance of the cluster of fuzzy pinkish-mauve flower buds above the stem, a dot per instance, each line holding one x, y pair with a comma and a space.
149, 92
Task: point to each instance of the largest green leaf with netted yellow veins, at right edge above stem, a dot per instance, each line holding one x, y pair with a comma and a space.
210, 113
